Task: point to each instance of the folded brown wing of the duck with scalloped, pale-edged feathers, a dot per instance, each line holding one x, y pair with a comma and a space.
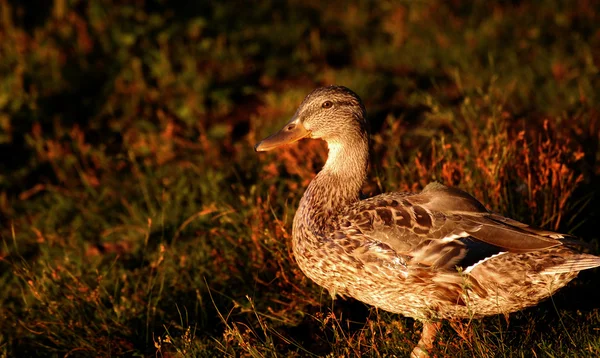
441, 227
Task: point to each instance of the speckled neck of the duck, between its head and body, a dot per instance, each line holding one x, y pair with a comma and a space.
335, 187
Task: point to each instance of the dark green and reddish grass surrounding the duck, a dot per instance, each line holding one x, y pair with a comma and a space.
136, 220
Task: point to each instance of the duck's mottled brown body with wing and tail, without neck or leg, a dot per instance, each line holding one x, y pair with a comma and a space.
439, 253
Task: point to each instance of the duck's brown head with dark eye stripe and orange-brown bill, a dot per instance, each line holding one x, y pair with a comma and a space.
334, 114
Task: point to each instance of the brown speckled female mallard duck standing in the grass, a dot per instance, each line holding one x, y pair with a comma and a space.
434, 255
